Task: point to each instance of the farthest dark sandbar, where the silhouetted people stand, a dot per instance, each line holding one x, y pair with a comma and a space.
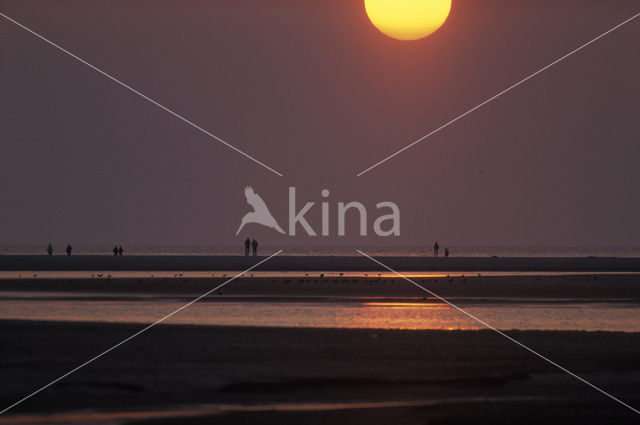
283, 262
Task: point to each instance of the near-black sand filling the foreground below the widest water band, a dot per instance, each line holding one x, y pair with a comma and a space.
440, 377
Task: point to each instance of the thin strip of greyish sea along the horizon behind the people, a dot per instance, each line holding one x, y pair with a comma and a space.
348, 251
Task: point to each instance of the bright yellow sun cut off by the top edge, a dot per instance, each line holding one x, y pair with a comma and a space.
407, 19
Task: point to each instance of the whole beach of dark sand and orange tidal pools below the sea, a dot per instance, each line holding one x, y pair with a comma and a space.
315, 346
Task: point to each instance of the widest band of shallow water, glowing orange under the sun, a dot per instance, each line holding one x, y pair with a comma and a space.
374, 314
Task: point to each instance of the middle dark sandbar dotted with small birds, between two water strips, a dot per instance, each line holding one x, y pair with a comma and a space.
610, 287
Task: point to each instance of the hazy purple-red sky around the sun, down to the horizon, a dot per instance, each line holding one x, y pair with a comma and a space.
315, 91
